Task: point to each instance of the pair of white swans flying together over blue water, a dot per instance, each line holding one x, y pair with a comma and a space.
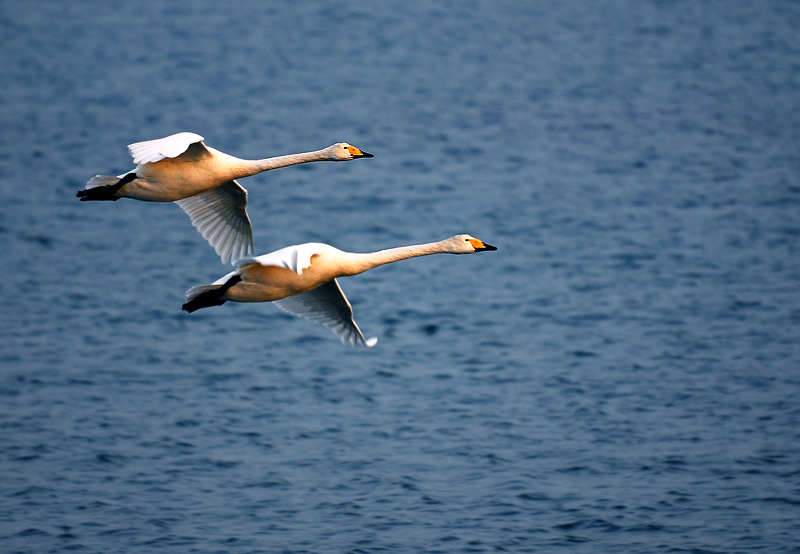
299, 279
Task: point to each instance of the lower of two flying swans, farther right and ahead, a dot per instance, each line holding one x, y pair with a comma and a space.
301, 280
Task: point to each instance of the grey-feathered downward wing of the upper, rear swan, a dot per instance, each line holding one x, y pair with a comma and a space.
220, 215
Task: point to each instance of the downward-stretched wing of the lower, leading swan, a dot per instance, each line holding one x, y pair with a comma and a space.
328, 306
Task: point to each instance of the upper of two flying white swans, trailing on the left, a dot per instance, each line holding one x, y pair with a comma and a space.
180, 168
